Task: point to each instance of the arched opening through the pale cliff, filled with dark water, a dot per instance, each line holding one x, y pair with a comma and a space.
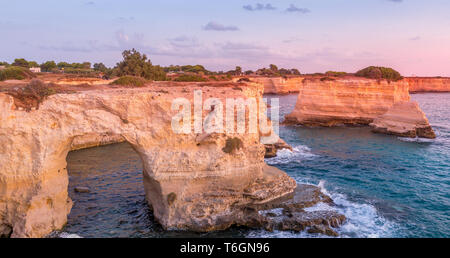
107, 190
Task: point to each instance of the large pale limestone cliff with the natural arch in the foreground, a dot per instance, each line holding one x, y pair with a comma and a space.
190, 182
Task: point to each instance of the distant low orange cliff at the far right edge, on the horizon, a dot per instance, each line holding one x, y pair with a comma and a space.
428, 84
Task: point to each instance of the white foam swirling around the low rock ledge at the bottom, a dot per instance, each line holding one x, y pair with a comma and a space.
363, 220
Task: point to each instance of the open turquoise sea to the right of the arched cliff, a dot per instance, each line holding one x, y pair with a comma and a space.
406, 181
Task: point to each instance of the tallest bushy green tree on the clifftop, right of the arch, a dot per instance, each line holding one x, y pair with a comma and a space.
137, 64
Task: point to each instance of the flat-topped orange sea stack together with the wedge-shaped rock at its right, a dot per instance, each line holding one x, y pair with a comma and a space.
360, 102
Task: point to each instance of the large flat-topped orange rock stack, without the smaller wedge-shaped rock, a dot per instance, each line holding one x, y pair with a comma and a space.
345, 101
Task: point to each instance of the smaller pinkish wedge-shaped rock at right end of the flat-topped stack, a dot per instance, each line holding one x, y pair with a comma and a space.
404, 119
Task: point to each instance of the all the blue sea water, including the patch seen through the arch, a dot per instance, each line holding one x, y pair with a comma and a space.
385, 185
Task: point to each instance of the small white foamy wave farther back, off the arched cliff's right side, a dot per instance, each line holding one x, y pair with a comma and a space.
286, 156
